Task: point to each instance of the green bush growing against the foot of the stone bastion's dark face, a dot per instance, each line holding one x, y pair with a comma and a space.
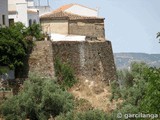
64, 74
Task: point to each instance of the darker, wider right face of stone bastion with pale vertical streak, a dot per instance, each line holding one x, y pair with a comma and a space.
90, 60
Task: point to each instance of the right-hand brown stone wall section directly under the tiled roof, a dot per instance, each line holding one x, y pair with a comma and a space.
93, 28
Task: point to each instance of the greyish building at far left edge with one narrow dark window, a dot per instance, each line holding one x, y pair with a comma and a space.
4, 12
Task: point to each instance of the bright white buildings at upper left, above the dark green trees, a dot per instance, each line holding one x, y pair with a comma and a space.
21, 11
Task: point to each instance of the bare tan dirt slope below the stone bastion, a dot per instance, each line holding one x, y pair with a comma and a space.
97, 93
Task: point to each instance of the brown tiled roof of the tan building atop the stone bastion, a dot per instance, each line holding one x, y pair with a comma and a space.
65, 15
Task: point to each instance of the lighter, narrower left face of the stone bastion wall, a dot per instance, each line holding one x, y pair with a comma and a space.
41, 59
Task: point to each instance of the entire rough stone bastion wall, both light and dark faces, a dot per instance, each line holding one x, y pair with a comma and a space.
89, 60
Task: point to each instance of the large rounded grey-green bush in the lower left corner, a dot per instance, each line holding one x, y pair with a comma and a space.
40, 98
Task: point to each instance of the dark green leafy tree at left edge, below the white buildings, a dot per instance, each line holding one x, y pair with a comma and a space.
12, 45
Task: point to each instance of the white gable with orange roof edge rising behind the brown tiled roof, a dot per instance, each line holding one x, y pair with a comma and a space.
79, 10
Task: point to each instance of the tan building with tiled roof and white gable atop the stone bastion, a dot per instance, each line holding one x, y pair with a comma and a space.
73, 21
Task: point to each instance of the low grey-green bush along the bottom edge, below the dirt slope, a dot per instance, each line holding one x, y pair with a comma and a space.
87, 115
